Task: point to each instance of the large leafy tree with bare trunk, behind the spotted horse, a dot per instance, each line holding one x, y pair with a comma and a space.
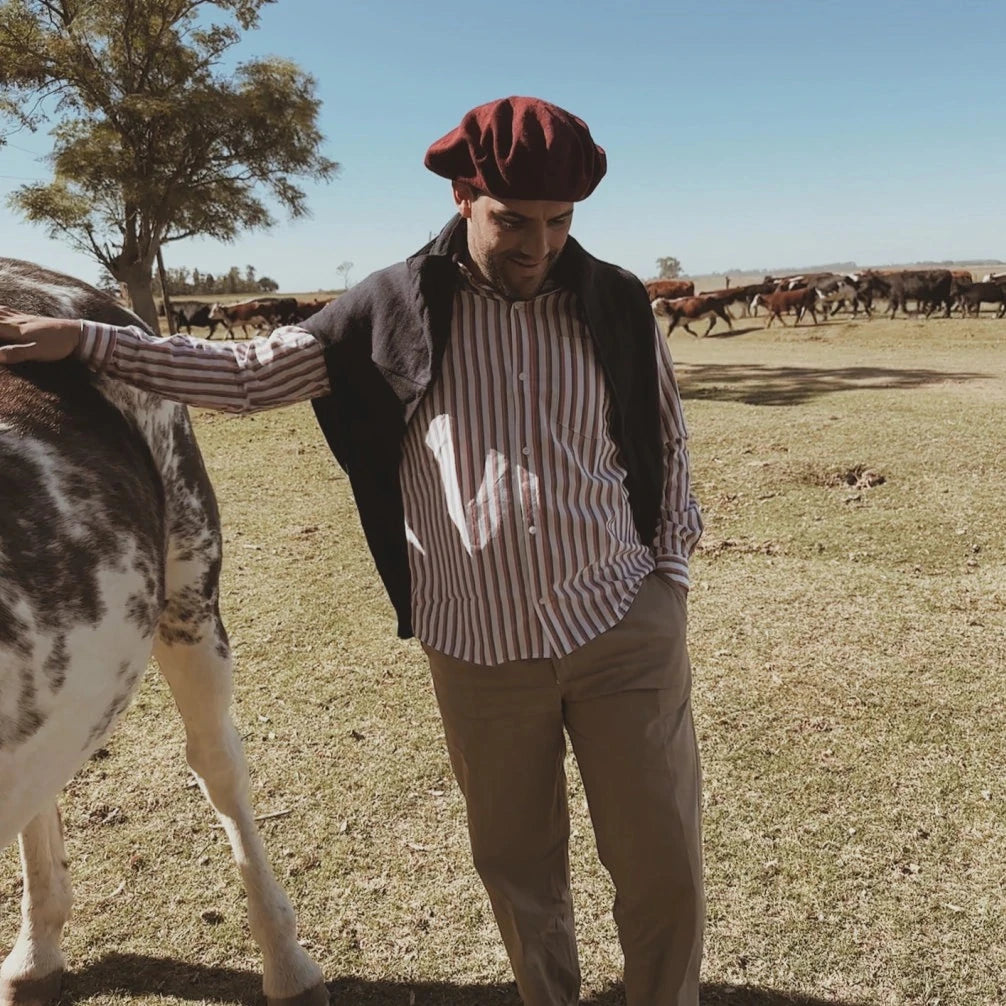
152, 142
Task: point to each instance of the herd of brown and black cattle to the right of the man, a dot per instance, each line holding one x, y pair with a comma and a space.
927, 290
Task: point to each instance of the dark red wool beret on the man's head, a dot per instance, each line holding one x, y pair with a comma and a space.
522, 148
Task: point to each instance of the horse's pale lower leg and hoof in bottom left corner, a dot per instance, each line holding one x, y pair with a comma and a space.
33, 973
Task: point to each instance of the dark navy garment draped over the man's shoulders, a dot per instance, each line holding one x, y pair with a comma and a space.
385, 342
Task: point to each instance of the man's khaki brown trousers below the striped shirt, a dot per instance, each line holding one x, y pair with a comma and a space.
624, 701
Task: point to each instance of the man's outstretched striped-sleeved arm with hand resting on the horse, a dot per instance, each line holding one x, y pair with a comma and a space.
236, 377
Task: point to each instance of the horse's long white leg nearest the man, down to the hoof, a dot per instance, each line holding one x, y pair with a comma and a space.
200, 676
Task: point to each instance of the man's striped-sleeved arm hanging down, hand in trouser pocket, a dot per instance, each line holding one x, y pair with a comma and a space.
681, 526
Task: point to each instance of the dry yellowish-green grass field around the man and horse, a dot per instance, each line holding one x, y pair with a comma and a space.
849, 632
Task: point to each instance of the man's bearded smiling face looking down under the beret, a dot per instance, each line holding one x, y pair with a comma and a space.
514, 243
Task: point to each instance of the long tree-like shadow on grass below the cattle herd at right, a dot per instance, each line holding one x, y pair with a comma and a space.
758, 385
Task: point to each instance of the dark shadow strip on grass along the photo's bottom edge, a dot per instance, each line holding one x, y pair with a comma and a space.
136, 975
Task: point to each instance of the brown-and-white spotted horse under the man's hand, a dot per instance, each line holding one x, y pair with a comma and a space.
110, 552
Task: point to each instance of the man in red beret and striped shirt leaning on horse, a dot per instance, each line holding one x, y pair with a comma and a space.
508, 413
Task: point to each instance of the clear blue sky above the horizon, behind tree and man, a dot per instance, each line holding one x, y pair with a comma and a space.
741, 134
